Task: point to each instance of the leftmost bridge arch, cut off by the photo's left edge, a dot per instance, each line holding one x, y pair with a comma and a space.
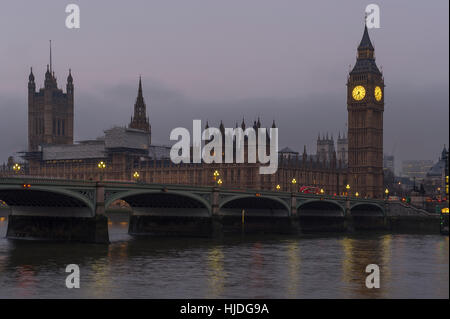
38, 196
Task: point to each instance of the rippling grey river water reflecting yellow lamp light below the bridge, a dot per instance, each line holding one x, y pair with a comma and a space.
314, 266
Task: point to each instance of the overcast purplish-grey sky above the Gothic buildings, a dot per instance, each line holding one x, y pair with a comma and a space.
204, 59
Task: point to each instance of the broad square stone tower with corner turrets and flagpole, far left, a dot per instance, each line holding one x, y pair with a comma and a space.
50, 111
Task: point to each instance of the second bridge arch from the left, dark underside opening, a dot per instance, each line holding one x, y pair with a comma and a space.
169, 198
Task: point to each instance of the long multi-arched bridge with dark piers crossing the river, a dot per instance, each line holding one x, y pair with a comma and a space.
75, 210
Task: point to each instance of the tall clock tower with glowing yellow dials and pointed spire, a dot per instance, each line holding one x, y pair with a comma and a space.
365, 105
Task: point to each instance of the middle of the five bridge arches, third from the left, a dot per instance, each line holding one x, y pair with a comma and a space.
268, 203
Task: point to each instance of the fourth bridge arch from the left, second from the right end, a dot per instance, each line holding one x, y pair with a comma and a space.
317, 207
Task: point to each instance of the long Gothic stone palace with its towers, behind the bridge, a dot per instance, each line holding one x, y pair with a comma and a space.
357, 160
